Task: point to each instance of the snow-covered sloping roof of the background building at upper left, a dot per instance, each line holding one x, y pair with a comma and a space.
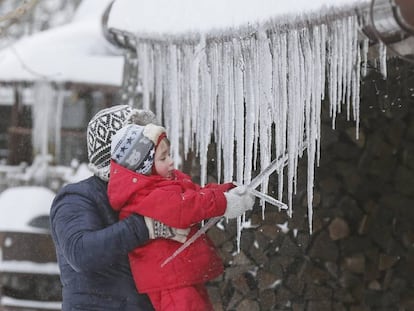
76, 52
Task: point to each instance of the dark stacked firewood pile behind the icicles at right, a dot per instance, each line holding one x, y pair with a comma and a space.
360, 256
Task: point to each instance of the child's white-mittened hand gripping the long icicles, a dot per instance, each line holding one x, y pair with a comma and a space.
239, 200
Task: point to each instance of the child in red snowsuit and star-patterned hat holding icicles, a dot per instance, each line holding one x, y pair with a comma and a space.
143, 181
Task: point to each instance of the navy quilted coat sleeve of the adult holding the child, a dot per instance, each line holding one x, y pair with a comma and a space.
86, 241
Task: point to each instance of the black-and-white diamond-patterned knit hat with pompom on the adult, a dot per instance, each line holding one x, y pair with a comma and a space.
103, 126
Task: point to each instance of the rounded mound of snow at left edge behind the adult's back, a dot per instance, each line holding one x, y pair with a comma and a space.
19, 205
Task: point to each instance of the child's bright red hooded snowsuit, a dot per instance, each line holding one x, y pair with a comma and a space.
178, 203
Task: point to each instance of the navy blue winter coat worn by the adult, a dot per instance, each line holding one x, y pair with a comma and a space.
92, 249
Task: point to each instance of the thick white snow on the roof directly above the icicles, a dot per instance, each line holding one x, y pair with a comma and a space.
177, 16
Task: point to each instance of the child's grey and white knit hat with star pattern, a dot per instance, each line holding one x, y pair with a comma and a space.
133, 146
